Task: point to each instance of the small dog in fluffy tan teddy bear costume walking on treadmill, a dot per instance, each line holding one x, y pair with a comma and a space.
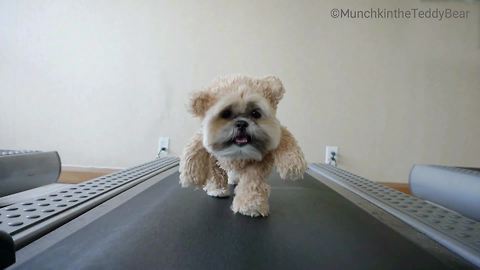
240, 141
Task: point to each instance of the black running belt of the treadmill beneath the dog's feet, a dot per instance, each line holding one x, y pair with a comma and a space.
167, 227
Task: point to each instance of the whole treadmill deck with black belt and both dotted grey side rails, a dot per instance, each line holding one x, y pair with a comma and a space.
140, 218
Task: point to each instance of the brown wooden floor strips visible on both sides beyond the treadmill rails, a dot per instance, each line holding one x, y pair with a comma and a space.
75, 175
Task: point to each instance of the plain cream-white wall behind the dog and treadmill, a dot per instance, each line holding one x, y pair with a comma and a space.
100, 81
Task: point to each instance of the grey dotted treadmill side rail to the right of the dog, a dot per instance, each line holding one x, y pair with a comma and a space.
452, 230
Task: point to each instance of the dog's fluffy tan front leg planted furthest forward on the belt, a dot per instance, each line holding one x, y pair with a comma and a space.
251, 194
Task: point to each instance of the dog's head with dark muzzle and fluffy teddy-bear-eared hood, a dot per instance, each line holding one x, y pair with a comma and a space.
239, 121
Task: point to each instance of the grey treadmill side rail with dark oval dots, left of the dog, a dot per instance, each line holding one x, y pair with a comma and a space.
30, 219
